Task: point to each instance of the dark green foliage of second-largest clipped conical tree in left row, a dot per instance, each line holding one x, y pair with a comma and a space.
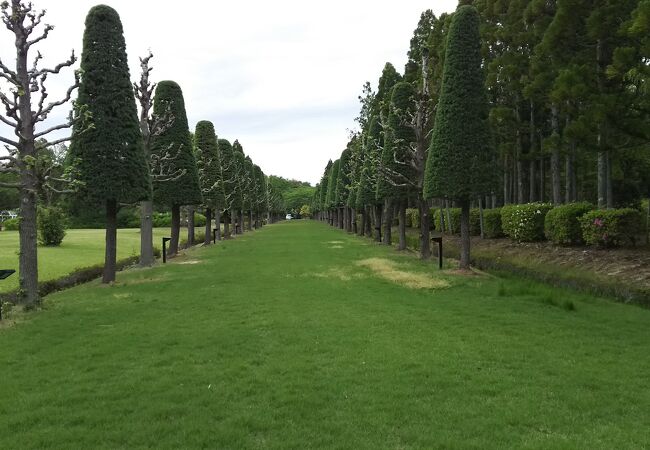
175, 141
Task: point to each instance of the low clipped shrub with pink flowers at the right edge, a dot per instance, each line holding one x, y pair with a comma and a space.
612, 227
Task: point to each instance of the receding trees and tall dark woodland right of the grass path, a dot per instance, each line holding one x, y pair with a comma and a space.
492, 99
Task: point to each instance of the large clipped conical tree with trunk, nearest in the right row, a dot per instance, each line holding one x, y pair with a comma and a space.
460, 163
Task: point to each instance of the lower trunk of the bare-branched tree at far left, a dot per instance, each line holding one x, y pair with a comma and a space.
28, 255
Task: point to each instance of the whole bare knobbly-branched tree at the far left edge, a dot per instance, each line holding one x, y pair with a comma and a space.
23, 95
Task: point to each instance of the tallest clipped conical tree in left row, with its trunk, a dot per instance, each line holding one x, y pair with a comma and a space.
109, 154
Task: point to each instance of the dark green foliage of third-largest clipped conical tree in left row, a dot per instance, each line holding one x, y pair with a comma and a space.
207, 162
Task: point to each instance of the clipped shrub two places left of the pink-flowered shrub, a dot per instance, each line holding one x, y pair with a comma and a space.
525, 223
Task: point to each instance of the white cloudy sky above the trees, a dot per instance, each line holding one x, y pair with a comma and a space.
281, 76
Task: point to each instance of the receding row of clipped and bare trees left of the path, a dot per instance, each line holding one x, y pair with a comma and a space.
115, 157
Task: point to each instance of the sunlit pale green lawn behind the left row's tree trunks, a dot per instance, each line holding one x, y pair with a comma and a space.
80, 248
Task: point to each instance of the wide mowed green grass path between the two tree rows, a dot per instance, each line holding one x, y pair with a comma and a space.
279, 339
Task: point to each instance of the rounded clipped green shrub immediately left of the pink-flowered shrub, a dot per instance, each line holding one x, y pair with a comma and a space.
562, 223
